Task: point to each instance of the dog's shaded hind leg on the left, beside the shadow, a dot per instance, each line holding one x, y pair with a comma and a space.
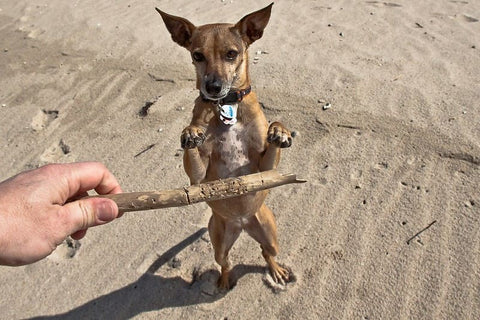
223, 235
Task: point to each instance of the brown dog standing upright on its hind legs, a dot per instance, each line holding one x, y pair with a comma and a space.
229, 135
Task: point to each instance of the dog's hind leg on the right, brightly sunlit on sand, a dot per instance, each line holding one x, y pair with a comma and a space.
263, 229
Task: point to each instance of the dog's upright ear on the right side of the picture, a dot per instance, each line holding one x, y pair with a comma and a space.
251, 26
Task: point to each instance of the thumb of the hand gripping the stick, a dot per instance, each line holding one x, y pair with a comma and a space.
85, 213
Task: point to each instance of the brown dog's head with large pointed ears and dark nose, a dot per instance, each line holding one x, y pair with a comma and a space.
219, 51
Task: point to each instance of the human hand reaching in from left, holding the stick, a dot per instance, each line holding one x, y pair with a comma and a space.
41, 207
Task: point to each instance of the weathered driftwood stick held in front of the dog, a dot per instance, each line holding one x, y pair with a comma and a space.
209, 191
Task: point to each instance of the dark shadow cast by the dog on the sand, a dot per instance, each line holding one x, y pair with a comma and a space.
154, 292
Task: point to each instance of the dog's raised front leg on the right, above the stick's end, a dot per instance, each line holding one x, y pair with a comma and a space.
278, 137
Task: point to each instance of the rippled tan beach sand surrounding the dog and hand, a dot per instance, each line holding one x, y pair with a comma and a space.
397, 152
